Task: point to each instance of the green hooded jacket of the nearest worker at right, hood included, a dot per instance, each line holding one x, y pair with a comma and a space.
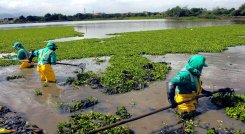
187, 78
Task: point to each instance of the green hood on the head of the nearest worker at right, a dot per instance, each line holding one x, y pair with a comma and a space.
195, 64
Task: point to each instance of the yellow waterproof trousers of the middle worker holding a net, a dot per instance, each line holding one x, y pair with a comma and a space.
46, 73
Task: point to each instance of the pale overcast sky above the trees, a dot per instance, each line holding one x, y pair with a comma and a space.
71, 7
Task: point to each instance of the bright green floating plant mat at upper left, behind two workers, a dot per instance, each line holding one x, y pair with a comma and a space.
32, 38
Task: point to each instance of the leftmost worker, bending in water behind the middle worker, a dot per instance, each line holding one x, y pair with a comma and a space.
22, 56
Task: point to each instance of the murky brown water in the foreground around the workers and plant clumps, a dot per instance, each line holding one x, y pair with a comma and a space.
225, 69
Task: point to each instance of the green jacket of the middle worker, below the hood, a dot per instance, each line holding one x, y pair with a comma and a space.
45, 56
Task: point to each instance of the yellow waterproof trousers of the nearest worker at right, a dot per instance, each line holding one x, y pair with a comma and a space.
188, 106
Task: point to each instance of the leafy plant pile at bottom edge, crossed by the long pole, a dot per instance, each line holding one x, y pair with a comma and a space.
83, 123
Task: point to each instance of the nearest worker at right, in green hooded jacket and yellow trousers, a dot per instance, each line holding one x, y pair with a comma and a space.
187, 84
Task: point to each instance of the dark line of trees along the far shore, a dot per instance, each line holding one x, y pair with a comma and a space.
173, 12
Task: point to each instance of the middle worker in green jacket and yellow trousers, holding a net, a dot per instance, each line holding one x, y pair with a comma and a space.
46, 58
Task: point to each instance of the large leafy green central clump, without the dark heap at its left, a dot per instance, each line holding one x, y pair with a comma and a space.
128, 73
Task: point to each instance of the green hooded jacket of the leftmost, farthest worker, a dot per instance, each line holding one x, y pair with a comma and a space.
22, 52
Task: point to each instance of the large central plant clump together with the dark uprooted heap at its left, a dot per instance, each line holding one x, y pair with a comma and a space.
124, 75
